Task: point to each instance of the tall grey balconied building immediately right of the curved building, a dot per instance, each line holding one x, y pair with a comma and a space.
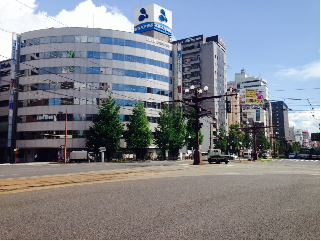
201, 61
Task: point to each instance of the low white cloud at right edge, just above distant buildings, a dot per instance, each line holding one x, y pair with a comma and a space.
305, 120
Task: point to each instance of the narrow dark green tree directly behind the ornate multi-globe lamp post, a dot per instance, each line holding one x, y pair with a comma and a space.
190, 139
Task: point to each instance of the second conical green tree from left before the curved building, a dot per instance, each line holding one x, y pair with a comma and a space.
138, 135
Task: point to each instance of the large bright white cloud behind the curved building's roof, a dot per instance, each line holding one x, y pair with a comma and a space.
18, 18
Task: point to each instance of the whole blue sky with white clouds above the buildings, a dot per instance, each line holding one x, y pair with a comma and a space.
277, 40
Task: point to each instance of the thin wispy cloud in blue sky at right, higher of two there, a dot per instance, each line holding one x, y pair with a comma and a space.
303, 73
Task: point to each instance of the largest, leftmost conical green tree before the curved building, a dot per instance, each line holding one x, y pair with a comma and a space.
107, 128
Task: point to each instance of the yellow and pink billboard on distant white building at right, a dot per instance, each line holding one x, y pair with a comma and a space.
253, 95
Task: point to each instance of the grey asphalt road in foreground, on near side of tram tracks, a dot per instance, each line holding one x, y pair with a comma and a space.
261, 200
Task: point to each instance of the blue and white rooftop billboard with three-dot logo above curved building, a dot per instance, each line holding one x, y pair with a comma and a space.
153, 17
